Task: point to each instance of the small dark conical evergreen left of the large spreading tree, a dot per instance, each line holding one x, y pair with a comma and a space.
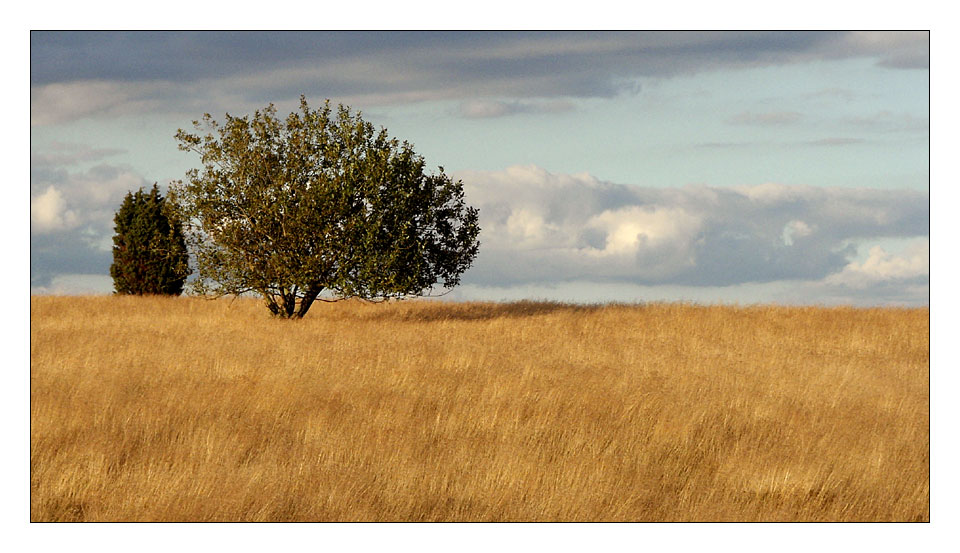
149, 251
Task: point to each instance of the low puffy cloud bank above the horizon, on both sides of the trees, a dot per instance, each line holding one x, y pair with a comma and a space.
543, 231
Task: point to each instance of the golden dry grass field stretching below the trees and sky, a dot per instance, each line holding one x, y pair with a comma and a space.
156, 409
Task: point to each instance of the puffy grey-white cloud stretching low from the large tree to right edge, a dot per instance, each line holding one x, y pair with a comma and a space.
540, 227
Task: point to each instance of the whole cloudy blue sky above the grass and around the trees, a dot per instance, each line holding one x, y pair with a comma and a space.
713, 167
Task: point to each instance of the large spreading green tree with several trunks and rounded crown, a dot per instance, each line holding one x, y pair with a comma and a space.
319, 206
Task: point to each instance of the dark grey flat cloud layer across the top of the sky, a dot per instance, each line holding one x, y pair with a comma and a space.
81, 74
